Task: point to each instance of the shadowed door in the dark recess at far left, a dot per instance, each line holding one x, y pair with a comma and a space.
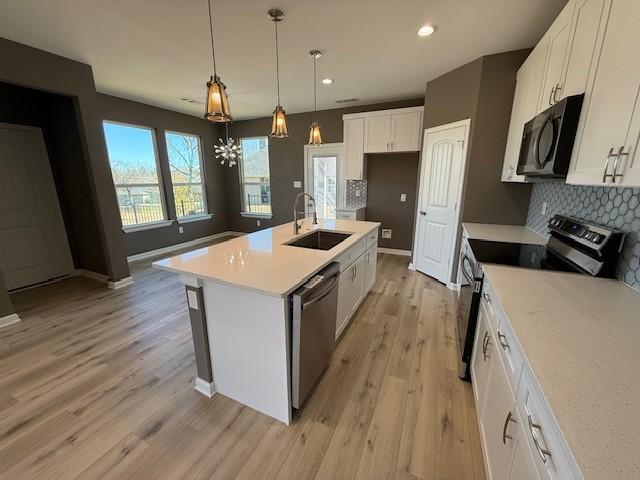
33, 241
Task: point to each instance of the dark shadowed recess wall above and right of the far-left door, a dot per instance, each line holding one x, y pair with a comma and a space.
55, 115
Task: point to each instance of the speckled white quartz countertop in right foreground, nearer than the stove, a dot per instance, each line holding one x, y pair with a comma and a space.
581, 336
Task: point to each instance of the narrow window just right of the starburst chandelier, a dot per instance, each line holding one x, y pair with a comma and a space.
254, 176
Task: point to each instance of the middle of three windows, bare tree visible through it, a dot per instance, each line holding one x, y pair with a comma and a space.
185, 163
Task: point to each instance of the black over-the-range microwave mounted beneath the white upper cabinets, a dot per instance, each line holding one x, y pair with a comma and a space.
547, 140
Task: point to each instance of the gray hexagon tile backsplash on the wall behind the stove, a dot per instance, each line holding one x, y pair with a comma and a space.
611, 206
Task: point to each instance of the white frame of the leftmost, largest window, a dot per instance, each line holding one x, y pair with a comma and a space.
163, 201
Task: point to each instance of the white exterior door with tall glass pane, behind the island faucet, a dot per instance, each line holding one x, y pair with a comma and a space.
324, 176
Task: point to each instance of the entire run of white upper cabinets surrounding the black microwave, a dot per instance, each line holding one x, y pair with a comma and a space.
589, 49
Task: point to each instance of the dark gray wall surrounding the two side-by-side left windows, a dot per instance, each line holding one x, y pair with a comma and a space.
161, 120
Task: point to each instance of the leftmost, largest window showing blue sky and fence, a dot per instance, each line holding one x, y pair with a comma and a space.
134, 167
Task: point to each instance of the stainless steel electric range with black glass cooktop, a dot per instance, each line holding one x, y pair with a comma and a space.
574, 246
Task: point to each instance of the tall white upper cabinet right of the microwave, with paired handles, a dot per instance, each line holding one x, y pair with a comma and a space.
605, 151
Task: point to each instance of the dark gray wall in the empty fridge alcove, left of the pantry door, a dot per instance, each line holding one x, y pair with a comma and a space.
389, 176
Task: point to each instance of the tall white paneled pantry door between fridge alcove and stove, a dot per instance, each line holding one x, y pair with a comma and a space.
443, 154
